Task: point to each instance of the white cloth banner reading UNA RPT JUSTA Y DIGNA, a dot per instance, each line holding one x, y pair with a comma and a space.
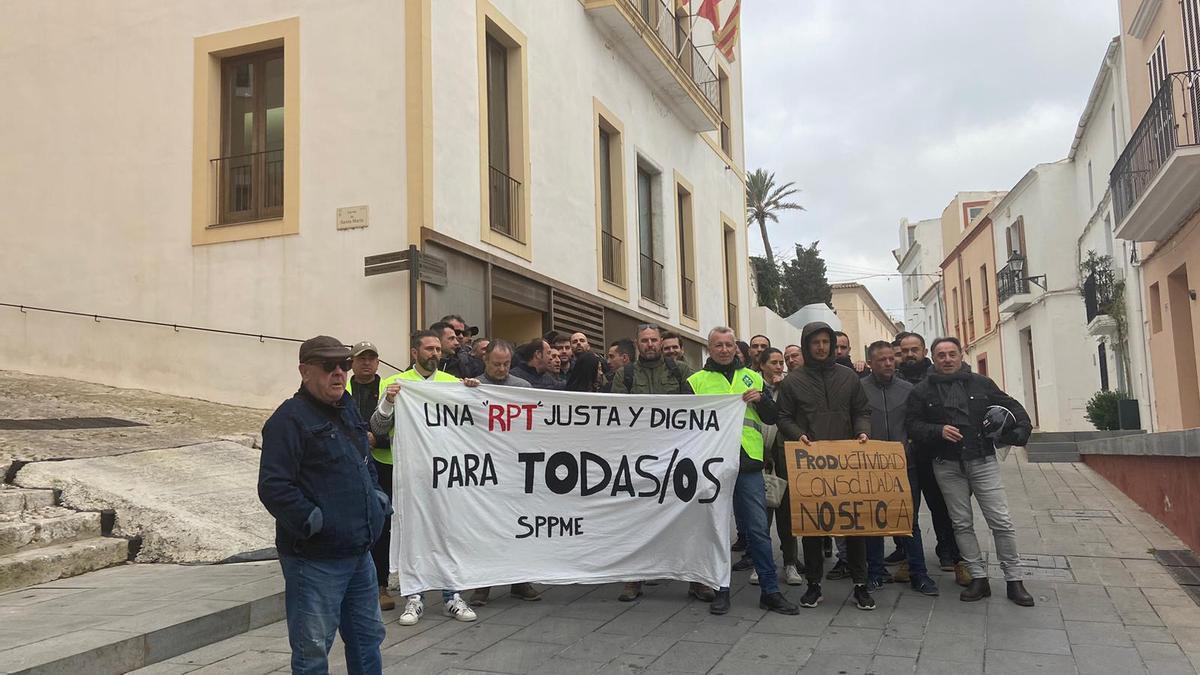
503, 485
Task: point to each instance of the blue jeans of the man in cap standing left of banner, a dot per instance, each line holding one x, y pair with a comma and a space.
323, 596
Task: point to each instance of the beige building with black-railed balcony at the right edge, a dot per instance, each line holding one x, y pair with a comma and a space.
1156, 194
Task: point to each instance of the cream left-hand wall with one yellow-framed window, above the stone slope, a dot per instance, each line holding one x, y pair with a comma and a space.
97, 183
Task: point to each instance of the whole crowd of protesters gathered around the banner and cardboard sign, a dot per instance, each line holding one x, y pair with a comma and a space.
950, 420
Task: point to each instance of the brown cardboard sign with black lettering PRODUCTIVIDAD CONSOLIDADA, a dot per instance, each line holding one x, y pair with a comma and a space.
847, 488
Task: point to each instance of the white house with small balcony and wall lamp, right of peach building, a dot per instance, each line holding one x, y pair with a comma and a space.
1060, 348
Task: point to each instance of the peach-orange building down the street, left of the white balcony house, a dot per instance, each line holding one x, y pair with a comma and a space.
969, 273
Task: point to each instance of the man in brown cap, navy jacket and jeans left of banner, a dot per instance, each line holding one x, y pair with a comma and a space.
316, 479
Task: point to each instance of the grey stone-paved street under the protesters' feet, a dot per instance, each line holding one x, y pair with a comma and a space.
1105, 606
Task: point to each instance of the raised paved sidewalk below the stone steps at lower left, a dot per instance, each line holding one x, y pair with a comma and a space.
125, 617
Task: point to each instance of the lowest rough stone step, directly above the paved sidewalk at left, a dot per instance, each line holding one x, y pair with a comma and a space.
57, 561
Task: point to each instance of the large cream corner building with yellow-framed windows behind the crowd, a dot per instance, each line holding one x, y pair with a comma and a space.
359, 170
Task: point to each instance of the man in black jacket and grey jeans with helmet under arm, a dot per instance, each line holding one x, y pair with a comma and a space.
946, 415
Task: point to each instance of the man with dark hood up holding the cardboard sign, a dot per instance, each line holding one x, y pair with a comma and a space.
826, 402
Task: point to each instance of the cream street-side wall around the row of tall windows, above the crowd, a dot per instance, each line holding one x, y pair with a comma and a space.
569, 64
